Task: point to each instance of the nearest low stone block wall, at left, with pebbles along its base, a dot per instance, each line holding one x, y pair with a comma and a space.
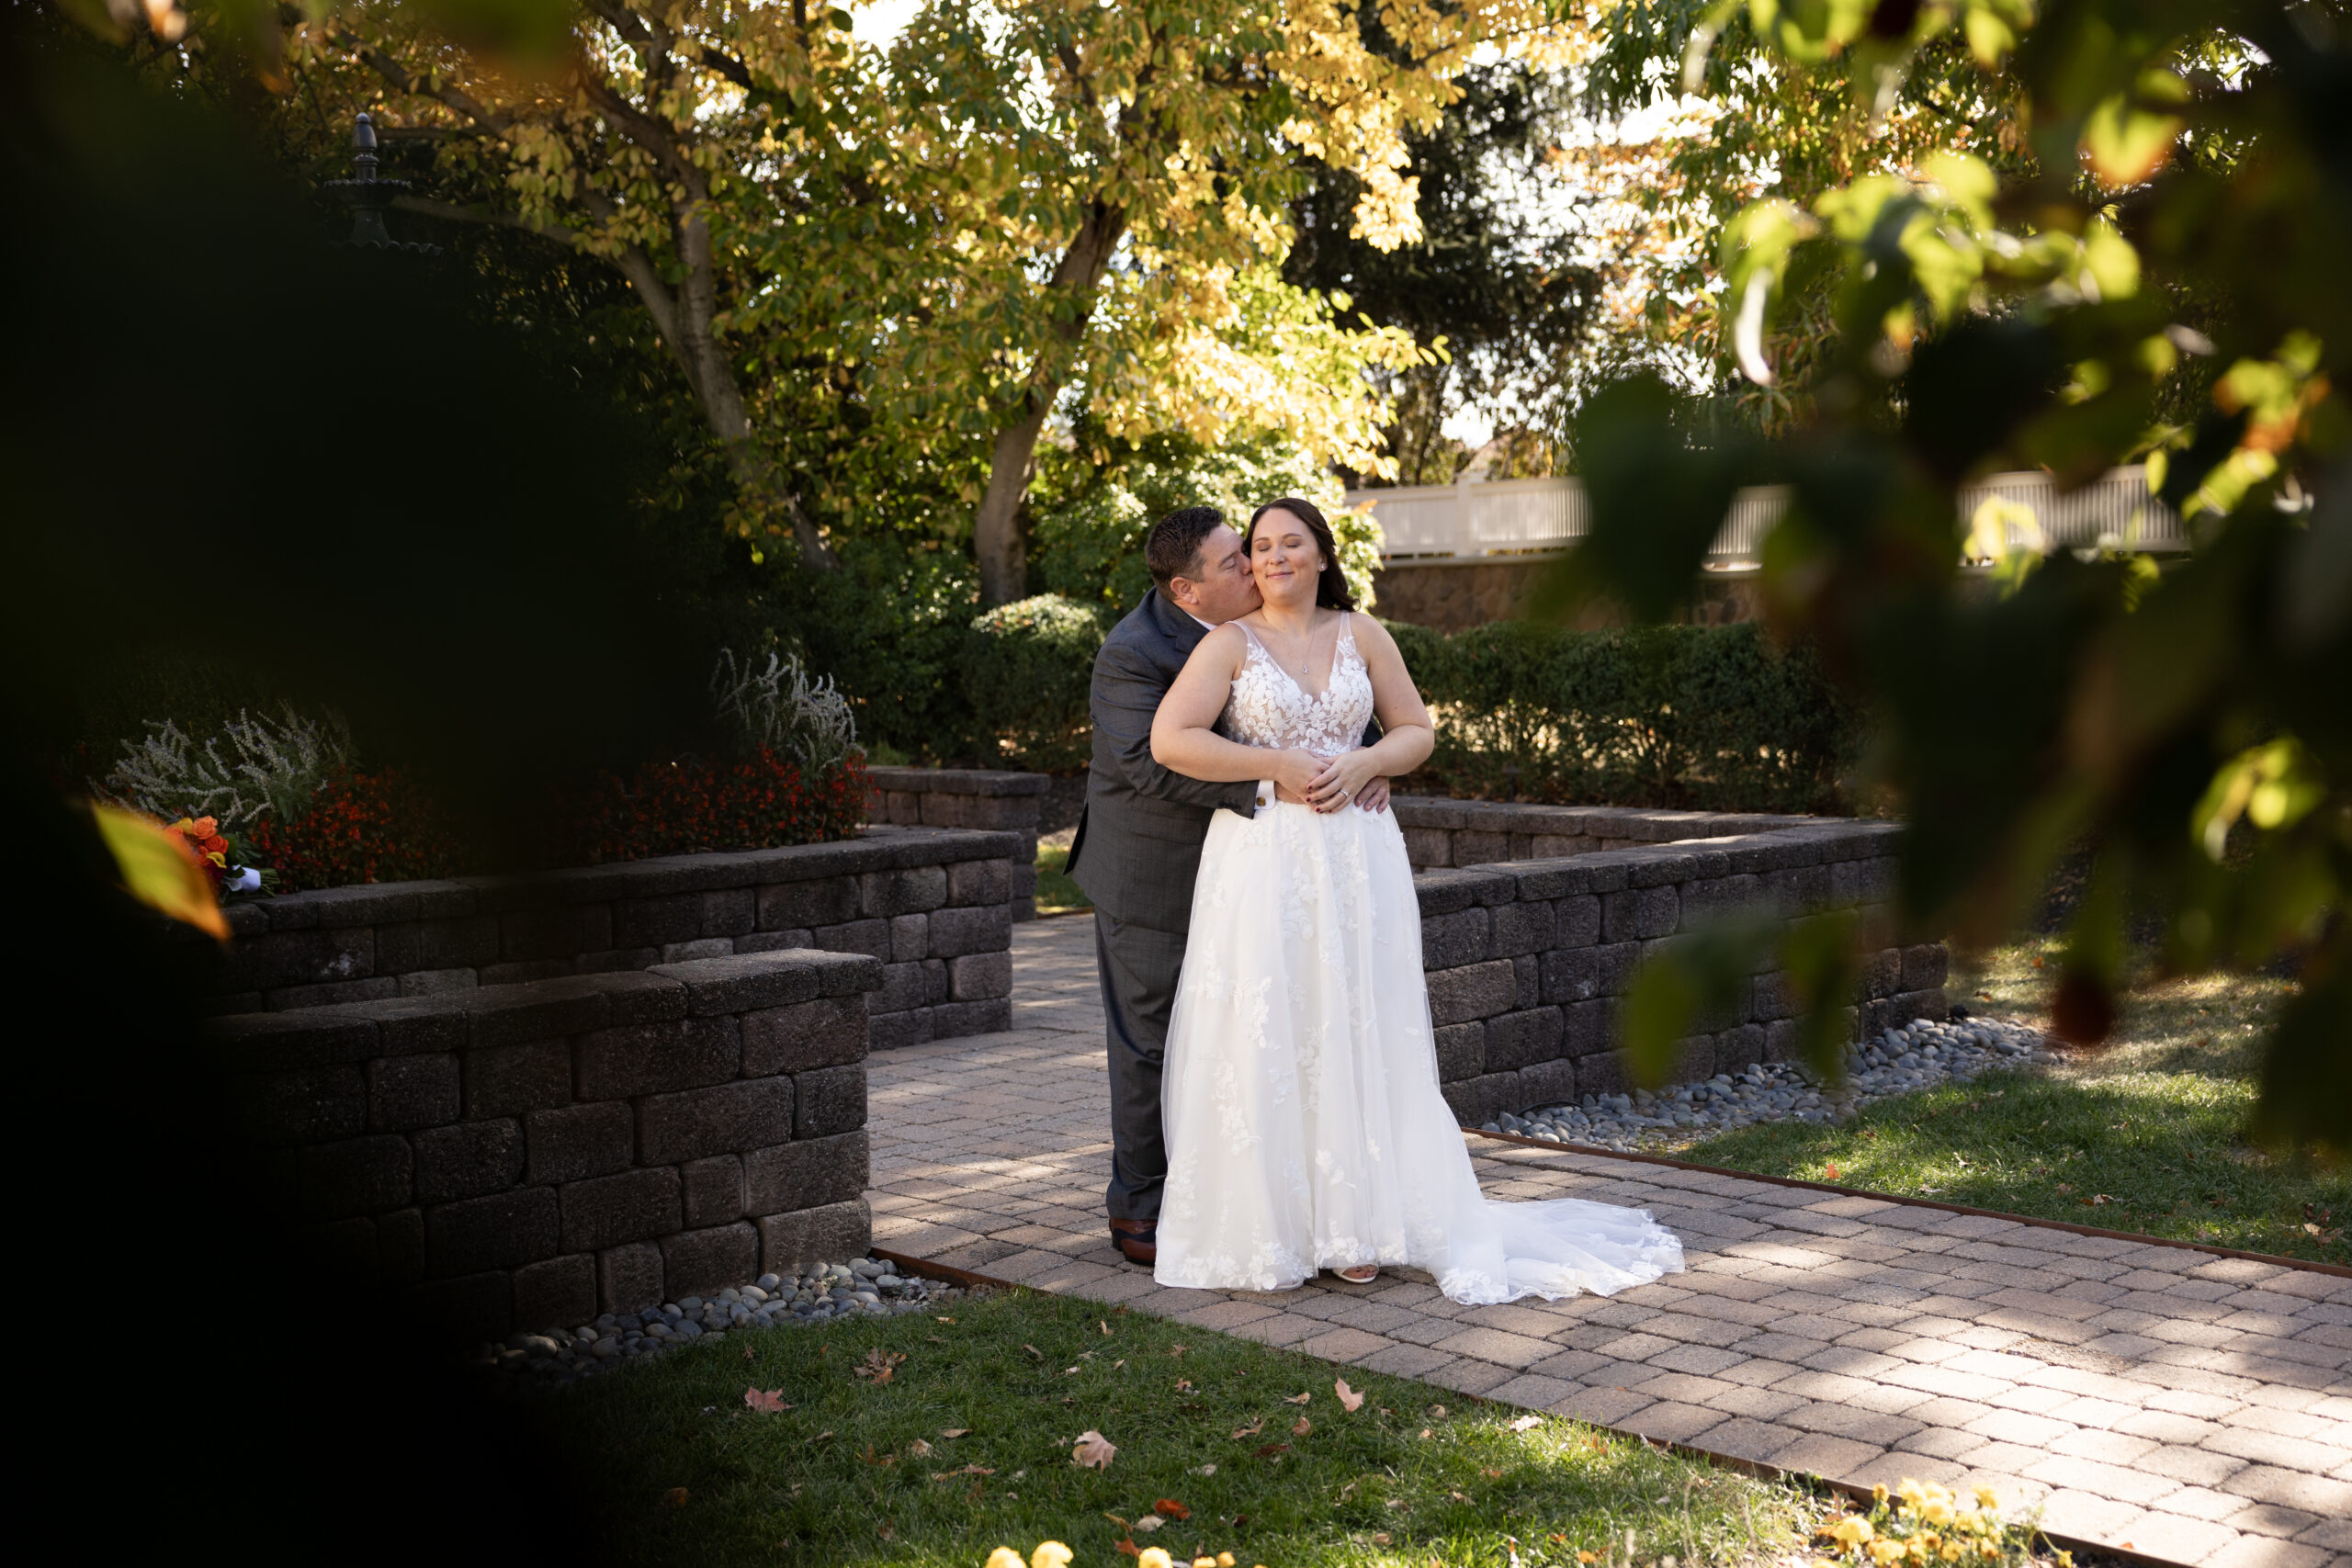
528, 1155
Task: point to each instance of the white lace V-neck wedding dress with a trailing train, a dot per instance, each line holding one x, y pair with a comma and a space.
1302, 1104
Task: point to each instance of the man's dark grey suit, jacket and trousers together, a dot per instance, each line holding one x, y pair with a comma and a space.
1137, 855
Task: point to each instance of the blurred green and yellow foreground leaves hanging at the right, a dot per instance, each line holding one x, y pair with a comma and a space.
2191, 728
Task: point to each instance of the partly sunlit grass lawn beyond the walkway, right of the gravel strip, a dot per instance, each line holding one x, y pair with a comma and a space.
2141, 1137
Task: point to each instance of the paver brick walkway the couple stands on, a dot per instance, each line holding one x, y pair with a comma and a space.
2191, 1407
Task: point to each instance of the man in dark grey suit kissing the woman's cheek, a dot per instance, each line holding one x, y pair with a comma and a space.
1137, 847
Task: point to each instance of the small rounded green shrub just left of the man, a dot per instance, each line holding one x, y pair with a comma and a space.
1027, 676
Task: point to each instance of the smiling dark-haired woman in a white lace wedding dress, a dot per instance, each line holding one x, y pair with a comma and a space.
1302, 1104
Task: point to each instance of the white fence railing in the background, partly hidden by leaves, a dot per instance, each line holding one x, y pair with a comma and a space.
1549, 516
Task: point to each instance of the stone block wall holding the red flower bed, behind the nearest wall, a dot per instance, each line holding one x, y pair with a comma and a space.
933, 906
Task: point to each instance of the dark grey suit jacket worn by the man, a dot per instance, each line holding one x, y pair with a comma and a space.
1137, 845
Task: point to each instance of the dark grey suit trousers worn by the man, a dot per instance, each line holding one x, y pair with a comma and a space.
1140, 972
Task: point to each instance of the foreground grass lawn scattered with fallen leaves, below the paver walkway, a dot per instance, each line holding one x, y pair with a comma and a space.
1001, 1386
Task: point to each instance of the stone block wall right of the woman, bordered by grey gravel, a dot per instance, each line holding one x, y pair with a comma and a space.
1528, 960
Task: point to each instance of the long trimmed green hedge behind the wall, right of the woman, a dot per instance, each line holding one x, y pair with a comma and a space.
1676, 716
